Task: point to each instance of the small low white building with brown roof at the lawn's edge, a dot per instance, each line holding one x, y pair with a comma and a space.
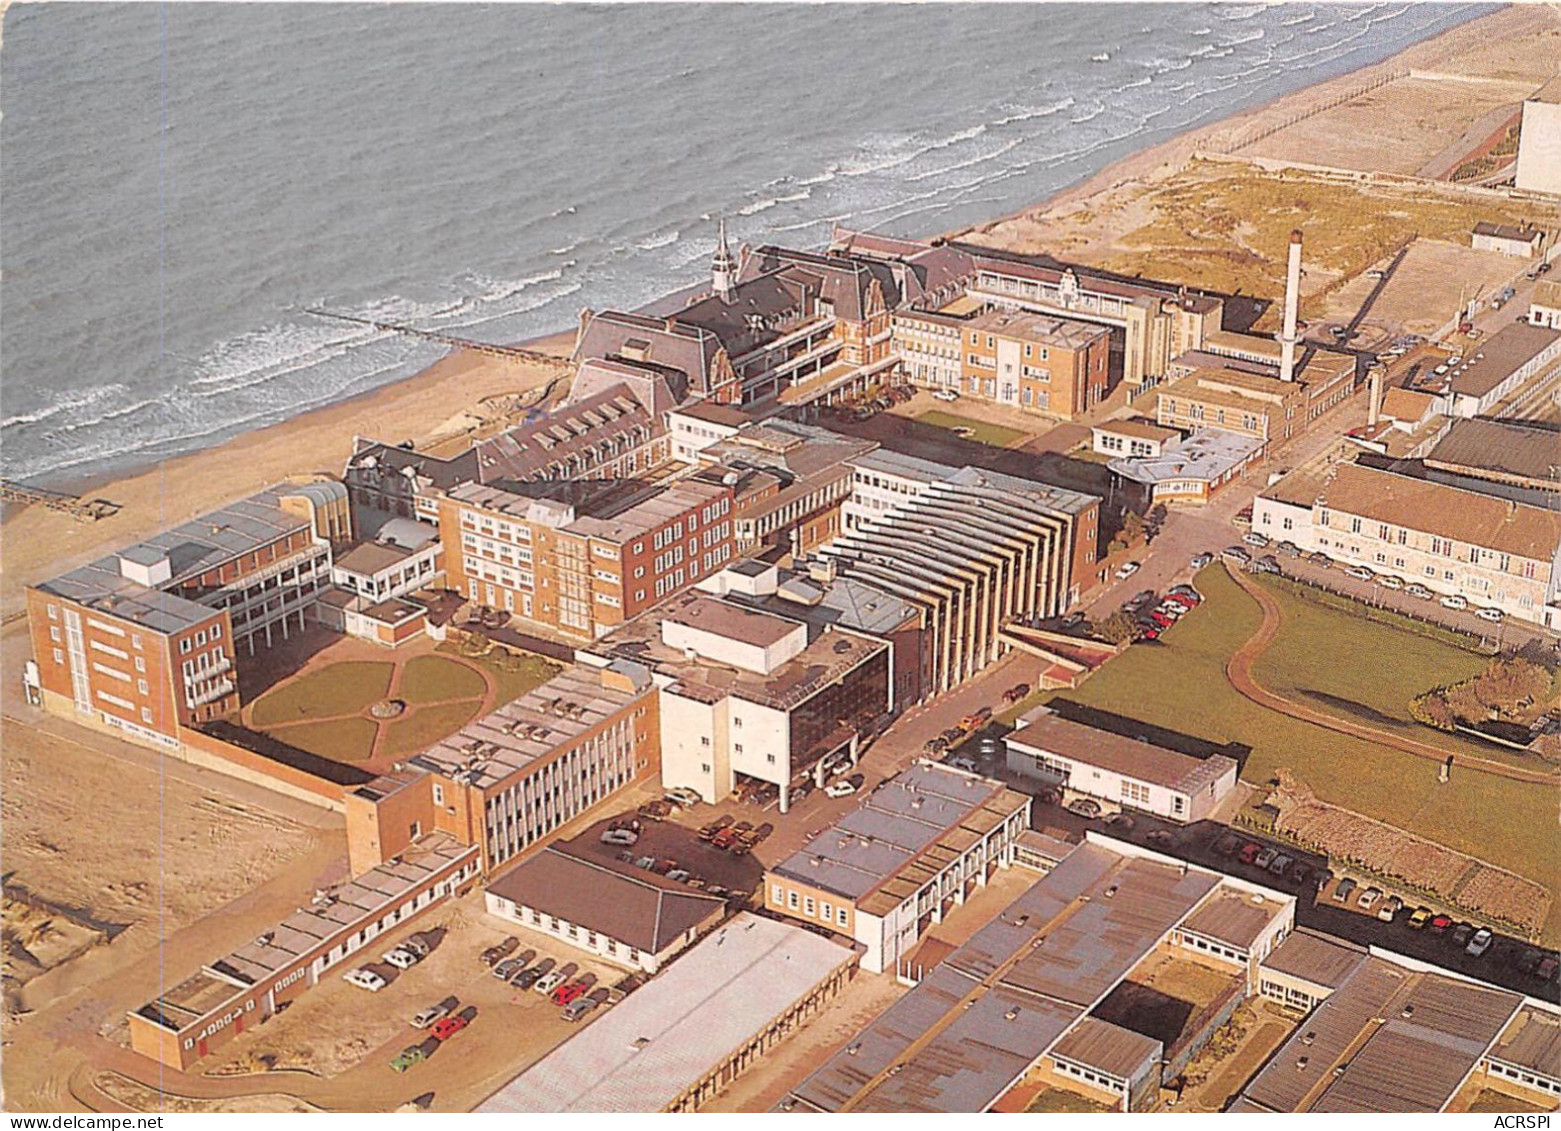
1123, 771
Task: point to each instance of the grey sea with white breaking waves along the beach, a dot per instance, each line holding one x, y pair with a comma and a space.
183, 183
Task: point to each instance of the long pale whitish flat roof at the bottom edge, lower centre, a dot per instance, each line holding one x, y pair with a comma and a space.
645, 1052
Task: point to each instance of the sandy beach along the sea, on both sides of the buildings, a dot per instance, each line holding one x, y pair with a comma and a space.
41, 544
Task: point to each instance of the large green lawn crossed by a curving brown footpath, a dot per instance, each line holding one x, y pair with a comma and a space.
1181, 684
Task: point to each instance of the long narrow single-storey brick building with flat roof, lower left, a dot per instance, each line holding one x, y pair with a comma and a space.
204, 1013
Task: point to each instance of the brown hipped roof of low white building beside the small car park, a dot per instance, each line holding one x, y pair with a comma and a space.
638, 909
